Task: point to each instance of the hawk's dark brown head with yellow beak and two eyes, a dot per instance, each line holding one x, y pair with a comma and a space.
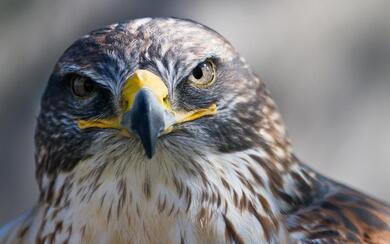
152, 86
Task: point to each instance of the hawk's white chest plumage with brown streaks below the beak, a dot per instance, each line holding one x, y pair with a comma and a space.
142, 202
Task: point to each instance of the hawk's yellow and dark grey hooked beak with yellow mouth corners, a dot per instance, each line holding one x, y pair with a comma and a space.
147, 111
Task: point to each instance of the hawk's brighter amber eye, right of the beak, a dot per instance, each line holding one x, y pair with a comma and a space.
203, 75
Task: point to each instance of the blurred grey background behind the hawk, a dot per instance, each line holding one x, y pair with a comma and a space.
327, 64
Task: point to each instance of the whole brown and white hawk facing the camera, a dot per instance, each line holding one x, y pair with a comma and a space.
156, 130
